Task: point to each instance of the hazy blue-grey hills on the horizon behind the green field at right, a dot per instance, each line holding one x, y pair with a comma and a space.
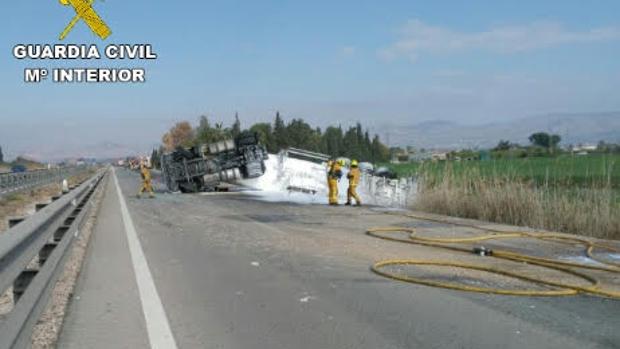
574, 129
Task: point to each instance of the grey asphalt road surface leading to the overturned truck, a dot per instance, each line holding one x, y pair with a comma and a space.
231, 271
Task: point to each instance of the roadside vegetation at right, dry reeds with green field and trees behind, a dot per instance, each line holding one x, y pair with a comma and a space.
557, 191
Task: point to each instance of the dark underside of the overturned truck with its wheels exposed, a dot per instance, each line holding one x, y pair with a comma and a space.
204, 167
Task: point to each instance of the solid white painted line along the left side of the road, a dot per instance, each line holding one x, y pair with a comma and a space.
157, 326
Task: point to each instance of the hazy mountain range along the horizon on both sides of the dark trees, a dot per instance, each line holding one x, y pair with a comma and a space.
575, 128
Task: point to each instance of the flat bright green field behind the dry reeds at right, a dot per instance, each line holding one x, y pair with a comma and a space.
565, 170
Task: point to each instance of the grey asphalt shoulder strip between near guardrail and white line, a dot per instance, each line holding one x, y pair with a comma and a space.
105, 311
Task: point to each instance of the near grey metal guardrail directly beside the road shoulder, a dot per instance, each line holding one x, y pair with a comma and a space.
47, 235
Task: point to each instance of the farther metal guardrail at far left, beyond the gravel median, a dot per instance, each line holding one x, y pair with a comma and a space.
14, 182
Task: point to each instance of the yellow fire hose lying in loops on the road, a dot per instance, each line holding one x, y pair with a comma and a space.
562, 289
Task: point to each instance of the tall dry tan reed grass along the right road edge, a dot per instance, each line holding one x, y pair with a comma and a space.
591, 209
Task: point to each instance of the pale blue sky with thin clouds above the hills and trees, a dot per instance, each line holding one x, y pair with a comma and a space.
384, 63
